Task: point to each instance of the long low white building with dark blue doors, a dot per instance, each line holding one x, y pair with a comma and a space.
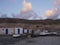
11, 31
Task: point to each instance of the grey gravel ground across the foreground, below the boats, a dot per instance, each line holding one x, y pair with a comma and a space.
42, 40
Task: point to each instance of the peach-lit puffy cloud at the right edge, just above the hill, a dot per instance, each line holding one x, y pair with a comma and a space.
53, 13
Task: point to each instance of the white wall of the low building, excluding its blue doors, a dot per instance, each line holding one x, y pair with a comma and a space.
13, 30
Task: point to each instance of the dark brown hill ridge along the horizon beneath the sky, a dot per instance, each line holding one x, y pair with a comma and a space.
17, 20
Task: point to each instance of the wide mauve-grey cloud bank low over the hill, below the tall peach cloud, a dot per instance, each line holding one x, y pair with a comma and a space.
30, 15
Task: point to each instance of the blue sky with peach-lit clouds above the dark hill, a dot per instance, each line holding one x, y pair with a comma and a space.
43, 8
